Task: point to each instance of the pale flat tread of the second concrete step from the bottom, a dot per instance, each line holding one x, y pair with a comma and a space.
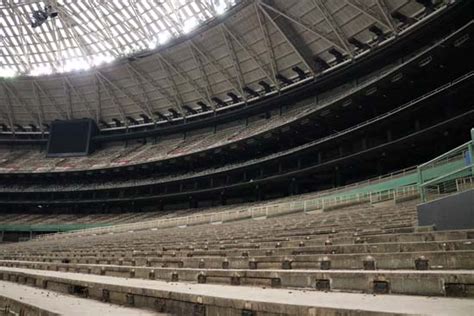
277, 297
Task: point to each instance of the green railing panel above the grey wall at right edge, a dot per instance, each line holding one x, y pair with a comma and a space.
451, 172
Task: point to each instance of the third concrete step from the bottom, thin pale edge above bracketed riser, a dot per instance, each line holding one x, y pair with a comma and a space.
407, 282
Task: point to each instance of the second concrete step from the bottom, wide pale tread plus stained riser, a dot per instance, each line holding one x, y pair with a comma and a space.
210, 299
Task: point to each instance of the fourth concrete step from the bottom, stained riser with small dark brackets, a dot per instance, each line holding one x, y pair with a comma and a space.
453, 259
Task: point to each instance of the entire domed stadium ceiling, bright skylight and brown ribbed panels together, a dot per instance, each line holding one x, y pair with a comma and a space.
132, 62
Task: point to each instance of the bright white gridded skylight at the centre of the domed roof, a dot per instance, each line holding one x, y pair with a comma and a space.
95, 28
